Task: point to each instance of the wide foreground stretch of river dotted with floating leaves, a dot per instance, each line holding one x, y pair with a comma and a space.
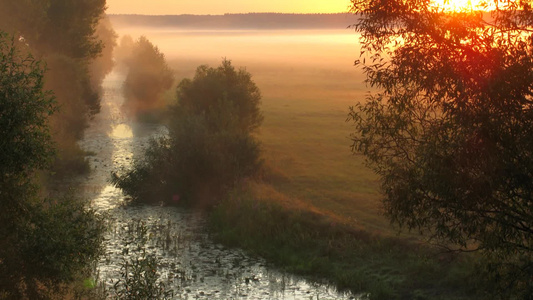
196, 268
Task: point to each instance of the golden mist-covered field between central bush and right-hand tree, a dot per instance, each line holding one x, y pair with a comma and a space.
308, 83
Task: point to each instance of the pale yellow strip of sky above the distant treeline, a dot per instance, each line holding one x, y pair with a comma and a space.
171, 7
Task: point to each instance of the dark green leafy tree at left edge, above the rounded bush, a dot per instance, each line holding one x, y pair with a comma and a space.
25, 145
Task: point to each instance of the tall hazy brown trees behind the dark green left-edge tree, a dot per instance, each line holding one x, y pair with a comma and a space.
75, 41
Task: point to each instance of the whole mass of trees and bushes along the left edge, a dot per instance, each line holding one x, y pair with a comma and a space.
48, 239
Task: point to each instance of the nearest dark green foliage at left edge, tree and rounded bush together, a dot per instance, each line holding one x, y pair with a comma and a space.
44, 243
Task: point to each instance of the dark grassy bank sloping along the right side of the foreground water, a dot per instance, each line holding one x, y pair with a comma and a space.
304, 240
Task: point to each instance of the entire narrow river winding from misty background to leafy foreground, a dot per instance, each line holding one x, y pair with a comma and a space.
191, 264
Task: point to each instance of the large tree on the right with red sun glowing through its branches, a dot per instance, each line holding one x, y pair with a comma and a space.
450, 126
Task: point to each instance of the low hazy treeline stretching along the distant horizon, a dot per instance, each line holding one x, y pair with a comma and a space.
239, 21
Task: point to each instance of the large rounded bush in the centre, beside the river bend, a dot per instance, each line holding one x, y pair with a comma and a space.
209, 147
